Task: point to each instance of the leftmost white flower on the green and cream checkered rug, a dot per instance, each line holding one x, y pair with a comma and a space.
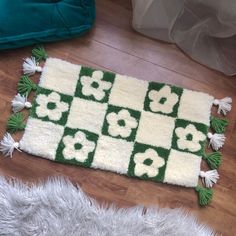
50, 106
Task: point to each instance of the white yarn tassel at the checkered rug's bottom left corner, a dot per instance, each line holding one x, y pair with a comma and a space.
7, 145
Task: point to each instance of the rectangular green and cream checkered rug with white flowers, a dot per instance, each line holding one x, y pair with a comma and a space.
107, 121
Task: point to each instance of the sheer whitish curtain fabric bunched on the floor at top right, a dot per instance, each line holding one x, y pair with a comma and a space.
204, 29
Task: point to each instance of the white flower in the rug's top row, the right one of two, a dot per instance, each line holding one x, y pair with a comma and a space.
163, 100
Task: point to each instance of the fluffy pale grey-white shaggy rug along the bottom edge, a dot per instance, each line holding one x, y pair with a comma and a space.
59, 208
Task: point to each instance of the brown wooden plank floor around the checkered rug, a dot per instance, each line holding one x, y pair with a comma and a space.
114, 45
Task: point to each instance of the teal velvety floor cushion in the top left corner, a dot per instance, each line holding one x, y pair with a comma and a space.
26, 22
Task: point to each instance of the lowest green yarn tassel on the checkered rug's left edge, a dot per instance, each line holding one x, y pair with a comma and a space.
15, 122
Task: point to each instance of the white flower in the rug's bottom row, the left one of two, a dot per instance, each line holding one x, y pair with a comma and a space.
77, 147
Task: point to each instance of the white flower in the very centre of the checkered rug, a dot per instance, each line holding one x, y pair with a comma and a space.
121, 123
